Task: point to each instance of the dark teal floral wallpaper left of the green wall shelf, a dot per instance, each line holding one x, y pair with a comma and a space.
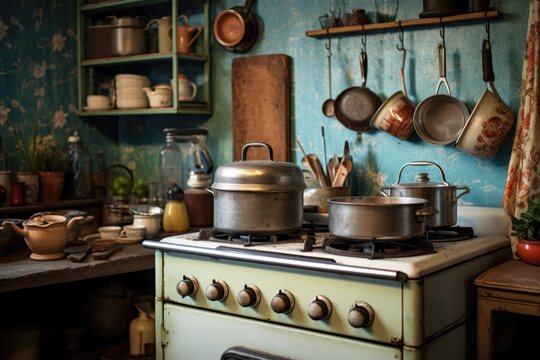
38, 79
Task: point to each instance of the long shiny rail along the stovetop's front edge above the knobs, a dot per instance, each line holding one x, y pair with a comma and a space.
280, 260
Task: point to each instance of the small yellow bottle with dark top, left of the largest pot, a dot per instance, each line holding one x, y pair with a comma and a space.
175, 215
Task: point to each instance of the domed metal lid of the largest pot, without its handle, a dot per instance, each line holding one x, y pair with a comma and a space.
259, 175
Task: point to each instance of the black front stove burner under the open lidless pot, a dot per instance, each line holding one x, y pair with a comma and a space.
378, 249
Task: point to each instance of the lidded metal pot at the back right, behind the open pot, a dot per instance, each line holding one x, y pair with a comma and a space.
440, 195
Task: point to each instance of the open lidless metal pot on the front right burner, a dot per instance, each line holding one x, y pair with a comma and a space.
377, 217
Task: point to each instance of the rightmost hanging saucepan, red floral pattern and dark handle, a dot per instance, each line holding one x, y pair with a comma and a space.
490, 120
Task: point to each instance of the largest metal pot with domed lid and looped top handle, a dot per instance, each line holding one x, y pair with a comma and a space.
258, 196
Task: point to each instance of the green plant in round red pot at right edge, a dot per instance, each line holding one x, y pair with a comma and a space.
527, 229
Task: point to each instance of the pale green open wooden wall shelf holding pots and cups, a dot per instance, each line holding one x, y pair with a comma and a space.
96, 74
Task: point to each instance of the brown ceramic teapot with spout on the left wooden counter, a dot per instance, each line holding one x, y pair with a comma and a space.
45, 234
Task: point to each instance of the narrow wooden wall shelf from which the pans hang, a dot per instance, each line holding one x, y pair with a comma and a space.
359, 29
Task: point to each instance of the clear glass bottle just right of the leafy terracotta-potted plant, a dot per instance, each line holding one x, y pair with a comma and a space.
78, 175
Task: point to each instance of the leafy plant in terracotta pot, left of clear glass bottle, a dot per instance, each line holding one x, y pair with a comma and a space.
52, 164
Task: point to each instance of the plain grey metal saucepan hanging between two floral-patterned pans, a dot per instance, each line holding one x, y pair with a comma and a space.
440, 118
